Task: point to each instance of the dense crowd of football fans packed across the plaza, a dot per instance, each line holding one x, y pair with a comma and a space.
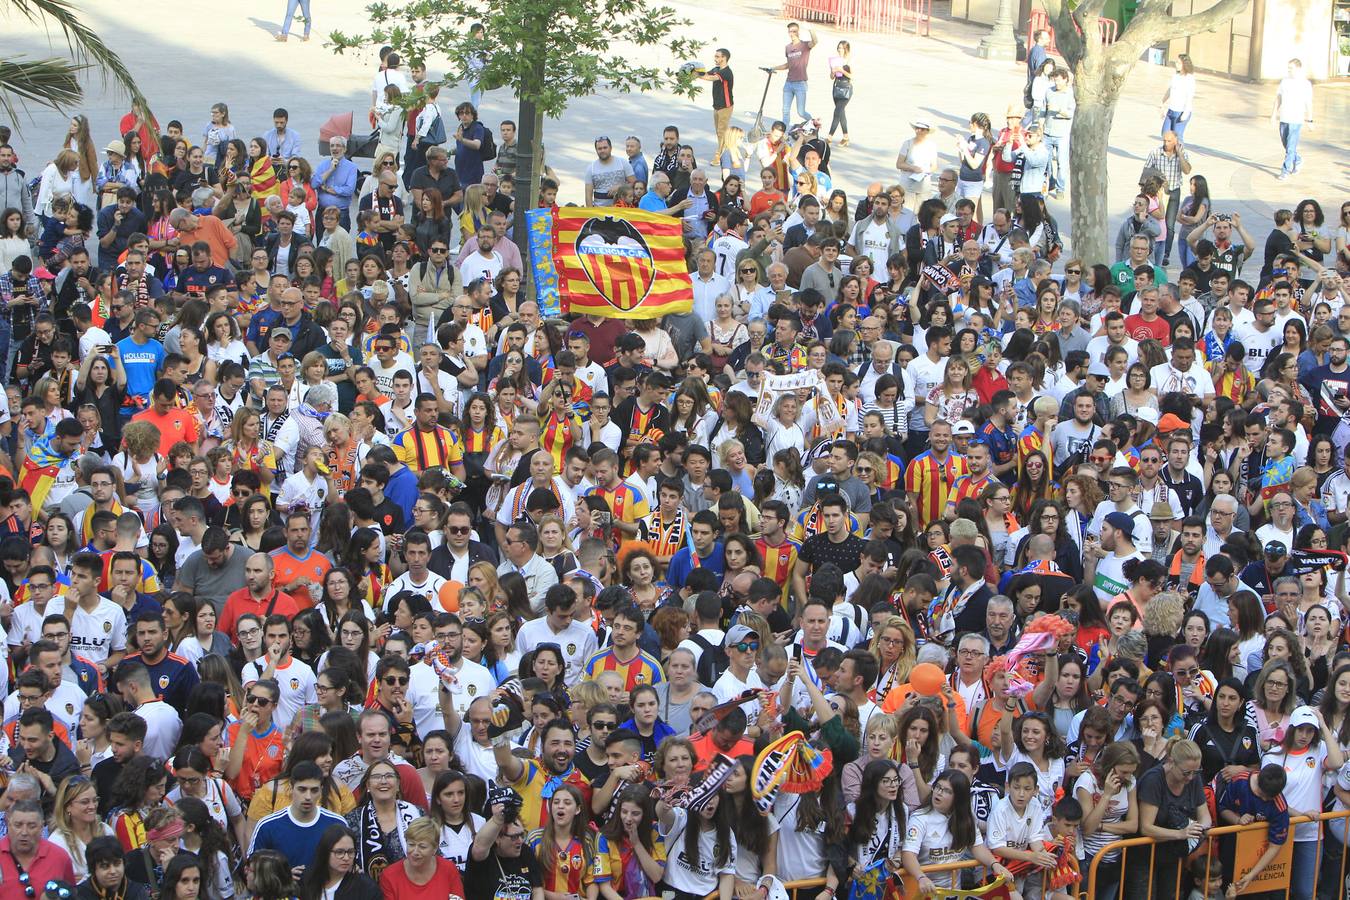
331, 567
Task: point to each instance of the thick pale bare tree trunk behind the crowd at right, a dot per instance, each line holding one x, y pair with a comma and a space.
1097, 91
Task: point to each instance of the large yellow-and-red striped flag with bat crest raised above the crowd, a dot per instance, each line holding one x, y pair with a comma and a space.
622, 264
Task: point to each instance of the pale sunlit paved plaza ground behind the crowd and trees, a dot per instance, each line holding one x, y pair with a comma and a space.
190, 57
